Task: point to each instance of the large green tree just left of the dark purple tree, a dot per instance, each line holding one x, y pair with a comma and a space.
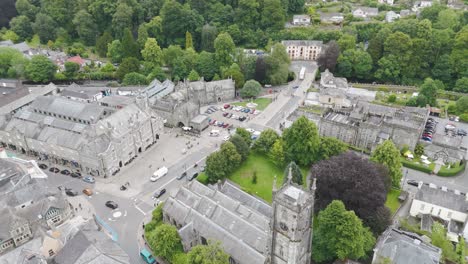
301, 142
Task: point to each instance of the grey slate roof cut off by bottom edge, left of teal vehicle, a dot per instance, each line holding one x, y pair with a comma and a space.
91, 247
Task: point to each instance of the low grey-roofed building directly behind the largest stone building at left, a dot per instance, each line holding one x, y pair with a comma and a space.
85, 93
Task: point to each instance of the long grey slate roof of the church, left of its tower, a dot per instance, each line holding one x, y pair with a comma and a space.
242, 229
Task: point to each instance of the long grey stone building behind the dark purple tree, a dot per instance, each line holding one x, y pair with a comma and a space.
365, 125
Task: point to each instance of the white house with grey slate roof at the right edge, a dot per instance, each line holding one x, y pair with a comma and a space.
449, 207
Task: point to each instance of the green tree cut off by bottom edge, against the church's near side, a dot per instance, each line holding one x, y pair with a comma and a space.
212, 253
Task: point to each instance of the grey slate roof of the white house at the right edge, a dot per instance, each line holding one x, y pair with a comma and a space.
446, 199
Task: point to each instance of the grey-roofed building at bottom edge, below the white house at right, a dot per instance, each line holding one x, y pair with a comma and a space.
400, 247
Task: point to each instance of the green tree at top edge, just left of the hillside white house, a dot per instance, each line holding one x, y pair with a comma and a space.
272, 15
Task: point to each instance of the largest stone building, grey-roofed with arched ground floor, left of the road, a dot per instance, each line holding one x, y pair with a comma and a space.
90, 138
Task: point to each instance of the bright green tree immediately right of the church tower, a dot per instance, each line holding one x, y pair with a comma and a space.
340, 235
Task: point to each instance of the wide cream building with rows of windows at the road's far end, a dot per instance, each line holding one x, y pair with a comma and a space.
303, 49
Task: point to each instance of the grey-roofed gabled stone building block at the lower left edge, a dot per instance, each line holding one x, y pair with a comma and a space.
27, 205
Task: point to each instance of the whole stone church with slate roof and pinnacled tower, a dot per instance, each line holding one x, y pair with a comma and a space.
250, 230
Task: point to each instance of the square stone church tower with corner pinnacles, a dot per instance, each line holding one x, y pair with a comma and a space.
290, 238
